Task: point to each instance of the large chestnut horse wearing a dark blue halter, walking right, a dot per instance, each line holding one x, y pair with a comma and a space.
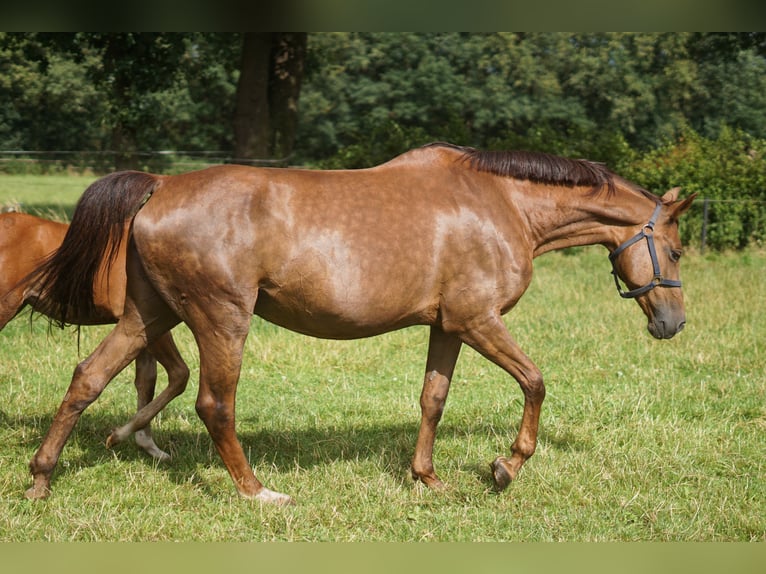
442, 236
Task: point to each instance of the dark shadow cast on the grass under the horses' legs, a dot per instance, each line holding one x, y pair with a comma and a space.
304, 448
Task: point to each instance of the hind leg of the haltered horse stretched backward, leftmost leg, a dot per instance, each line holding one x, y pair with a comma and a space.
90, 377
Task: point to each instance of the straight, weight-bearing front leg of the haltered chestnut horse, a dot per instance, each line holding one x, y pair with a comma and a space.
443, 351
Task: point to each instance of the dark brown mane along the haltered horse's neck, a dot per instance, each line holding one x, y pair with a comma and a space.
541, 167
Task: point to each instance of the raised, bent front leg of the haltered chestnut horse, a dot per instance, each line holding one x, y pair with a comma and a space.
491, 339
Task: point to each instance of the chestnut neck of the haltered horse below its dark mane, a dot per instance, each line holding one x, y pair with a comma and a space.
578, 219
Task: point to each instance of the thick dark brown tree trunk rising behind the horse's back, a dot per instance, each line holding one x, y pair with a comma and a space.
269, 85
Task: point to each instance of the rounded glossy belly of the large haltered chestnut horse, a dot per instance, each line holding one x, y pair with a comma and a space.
333, 286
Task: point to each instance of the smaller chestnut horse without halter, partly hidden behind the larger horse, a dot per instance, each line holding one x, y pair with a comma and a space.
25, 241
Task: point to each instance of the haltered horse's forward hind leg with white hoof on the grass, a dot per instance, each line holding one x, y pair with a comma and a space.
220, 353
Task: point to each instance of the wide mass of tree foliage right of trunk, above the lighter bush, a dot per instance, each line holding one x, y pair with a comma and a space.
368, 96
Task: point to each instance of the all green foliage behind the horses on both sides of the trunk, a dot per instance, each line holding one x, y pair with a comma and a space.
663, 109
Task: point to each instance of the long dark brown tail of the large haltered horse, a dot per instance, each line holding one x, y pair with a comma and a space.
94, 236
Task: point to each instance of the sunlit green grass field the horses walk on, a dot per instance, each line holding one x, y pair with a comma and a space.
641, 440
